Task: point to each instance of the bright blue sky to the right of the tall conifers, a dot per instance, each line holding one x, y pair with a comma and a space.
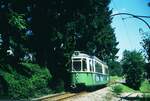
126, 27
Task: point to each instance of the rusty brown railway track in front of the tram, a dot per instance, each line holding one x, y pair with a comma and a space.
59, 97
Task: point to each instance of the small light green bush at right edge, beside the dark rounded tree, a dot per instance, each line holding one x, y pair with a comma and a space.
145, 87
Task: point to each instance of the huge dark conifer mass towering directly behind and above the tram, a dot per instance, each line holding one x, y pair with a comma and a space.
62, 26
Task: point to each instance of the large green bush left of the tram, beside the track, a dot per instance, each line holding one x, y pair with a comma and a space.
23, 86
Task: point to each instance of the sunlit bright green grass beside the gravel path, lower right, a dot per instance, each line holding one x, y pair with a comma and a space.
118, 88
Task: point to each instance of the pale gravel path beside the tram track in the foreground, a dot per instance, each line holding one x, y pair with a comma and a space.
104, 94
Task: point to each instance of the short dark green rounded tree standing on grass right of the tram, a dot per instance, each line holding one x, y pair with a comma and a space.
133, 65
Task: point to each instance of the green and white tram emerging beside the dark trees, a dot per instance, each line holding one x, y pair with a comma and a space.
88, 71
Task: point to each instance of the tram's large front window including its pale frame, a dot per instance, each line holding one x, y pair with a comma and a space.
76, 65
